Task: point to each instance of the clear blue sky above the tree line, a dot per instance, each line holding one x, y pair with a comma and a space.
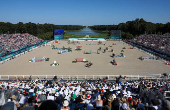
84, 12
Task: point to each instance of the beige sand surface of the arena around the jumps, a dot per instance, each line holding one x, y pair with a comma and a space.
130, 65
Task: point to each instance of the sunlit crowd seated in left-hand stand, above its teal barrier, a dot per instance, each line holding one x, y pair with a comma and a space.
14, 42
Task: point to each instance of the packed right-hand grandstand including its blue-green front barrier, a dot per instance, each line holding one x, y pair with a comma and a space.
158, 45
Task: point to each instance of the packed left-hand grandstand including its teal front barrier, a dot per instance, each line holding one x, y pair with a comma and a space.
14, 44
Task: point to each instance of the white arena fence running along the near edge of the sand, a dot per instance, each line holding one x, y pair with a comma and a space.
79, 77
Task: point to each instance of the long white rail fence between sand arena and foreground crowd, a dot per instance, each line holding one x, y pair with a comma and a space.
152, 76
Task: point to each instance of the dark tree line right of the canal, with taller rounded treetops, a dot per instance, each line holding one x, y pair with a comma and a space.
134, 28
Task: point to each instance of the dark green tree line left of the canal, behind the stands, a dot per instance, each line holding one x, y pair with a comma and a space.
44, 31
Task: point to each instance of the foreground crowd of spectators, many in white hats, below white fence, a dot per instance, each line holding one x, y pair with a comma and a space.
84, 95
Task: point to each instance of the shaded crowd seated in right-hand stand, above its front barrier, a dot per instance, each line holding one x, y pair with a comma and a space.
160, 42
